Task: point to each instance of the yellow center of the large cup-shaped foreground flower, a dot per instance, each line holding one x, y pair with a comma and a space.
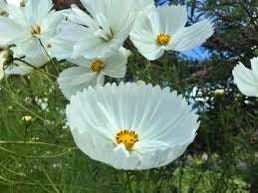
128, 138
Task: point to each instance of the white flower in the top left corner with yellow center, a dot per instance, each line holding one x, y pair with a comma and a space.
25, 26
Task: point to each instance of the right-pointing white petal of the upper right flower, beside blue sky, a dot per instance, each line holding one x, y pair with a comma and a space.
190, 37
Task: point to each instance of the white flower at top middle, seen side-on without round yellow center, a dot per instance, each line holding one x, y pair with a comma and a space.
103, 30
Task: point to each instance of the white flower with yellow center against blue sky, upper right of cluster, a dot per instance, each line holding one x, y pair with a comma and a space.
163, 28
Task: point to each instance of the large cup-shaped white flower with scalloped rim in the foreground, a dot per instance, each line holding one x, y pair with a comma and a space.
131, 126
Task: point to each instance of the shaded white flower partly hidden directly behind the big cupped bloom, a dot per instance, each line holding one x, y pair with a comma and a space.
91, 72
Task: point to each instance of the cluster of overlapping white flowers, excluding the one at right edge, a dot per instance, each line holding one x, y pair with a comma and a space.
129, 125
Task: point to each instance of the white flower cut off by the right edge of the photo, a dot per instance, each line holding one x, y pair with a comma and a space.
246, 79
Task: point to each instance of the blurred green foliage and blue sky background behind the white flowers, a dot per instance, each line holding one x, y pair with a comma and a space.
223, 158
